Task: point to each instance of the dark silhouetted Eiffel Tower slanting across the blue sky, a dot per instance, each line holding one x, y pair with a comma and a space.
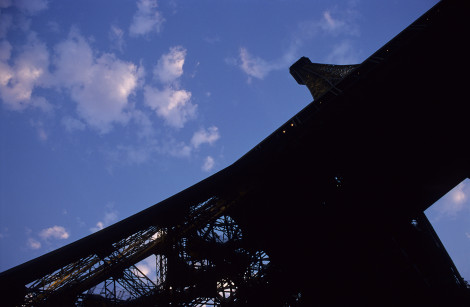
326, 211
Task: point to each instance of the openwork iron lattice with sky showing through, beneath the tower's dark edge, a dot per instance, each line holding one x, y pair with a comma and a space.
200, 262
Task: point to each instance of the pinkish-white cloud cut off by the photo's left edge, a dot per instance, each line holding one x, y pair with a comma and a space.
29, 70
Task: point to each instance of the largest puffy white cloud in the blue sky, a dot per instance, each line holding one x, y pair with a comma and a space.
101, 86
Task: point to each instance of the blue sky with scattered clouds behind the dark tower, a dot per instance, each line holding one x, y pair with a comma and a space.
108, 107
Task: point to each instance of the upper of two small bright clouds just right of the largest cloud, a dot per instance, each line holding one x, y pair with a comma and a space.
170, 65
